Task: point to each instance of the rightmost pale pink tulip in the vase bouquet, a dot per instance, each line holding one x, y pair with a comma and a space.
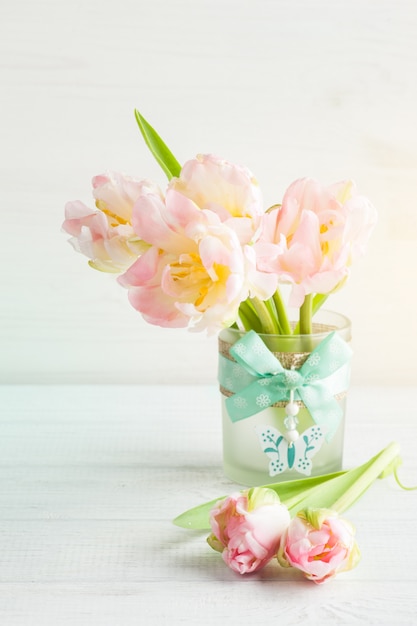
312, 239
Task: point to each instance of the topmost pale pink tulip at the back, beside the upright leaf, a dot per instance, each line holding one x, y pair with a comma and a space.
229, 190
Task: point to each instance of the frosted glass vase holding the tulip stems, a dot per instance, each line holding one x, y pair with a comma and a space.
280, 443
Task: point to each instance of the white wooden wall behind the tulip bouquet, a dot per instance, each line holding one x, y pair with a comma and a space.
288, 87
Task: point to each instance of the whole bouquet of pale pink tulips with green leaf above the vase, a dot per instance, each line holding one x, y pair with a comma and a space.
206, 254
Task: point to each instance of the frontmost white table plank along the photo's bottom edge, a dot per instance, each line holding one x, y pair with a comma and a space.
342, 603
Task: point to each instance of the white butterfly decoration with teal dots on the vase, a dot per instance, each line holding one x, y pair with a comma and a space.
289, 452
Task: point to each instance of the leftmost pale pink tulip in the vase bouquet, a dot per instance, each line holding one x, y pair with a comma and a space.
106, 235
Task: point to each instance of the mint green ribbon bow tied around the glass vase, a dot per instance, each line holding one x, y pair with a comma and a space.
265, 381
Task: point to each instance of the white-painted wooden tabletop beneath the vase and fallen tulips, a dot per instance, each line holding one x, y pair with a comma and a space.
92, 476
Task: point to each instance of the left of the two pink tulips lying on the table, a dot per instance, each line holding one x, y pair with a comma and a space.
247, 528
